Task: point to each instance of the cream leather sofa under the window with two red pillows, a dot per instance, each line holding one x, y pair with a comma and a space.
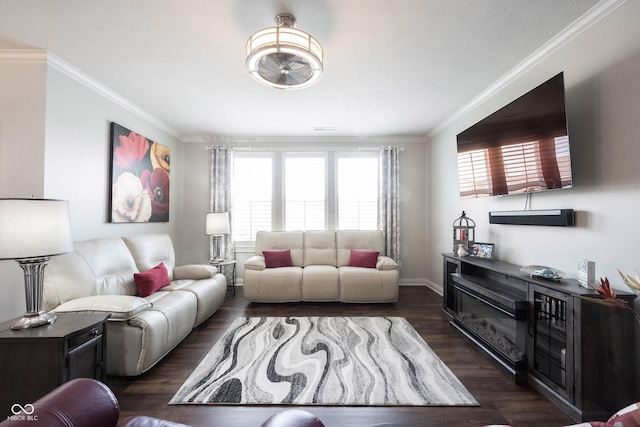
320, 269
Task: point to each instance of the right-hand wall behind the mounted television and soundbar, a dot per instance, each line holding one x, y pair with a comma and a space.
601, 69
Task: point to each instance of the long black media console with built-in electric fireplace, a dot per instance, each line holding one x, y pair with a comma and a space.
579, 354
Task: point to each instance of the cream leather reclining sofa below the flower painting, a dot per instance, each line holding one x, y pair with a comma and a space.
98, 276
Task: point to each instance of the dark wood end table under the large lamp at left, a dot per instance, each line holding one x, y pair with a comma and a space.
35, 361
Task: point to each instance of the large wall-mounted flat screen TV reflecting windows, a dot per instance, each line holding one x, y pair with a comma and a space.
521, 148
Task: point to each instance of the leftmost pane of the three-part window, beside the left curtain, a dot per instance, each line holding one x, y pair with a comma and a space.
253, 195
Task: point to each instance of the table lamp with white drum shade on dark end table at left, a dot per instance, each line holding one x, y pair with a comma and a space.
31, 232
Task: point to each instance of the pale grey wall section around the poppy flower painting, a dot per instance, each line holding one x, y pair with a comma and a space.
78, 155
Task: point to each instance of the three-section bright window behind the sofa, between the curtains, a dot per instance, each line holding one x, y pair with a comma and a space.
303, 191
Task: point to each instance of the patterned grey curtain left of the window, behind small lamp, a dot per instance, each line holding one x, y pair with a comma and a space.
221, 160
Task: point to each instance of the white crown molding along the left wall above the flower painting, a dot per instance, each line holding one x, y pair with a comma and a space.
42, 56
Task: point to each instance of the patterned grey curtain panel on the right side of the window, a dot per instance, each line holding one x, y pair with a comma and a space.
388, 199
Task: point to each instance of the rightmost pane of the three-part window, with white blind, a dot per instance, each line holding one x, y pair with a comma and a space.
357, 181
